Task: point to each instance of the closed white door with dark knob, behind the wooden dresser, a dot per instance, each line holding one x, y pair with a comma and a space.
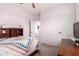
65, 27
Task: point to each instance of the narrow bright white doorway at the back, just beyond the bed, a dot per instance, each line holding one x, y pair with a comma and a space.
35, 25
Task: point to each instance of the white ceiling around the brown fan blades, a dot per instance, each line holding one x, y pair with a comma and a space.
38, 6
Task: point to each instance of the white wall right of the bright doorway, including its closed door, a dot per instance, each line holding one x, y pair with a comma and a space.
57, 19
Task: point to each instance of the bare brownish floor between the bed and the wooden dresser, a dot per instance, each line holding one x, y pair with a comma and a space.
46, 50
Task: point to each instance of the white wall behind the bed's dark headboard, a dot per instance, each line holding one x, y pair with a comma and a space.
11, 15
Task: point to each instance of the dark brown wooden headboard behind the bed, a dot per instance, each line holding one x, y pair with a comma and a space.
10, 32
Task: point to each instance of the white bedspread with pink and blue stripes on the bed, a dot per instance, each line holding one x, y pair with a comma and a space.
17, 47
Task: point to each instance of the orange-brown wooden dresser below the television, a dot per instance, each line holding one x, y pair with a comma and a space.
67, 48
